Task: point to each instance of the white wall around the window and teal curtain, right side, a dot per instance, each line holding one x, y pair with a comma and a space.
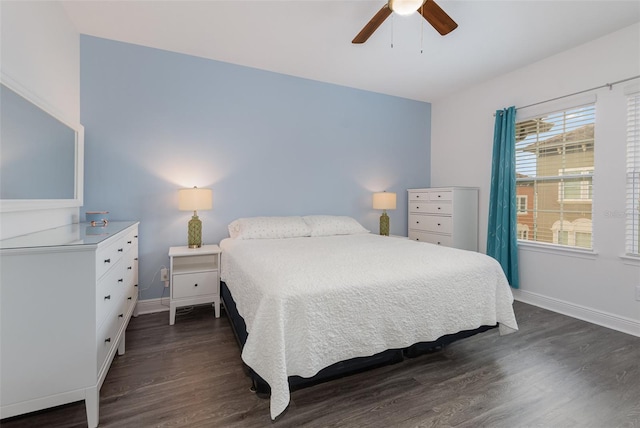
598, 288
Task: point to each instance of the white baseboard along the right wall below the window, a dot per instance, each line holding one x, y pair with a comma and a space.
604, 319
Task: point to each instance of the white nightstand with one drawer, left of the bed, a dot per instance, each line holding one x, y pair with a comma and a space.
194, 278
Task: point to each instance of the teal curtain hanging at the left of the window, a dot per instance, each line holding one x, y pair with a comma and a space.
502, 238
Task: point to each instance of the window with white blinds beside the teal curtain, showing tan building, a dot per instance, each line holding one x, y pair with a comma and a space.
554, 177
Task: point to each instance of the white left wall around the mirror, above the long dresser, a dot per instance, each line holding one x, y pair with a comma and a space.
40, 50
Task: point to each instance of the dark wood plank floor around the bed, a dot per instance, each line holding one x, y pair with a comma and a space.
555, 372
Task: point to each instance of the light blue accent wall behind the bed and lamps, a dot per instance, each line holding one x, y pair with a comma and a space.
265, 143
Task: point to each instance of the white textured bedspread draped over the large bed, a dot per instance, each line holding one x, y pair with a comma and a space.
311, 302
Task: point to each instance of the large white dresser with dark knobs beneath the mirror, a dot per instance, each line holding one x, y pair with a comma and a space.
66, 297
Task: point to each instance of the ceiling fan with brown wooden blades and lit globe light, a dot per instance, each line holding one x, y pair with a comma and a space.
427, 8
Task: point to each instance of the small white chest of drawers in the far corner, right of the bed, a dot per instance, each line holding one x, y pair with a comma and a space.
444, 216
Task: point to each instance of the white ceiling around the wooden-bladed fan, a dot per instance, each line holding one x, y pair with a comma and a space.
312, 38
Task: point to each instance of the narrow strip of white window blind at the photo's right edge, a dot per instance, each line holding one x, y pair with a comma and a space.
633, 175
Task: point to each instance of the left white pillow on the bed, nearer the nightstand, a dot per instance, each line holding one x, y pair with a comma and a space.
268, 228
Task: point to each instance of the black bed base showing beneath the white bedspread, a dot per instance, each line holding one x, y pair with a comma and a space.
339, 369
